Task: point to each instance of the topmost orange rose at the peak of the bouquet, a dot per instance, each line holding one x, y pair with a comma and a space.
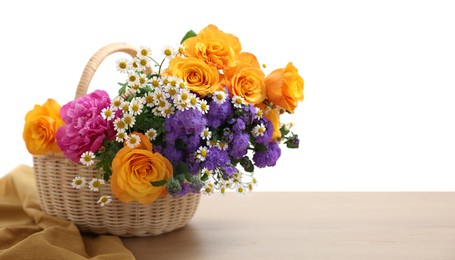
214, 47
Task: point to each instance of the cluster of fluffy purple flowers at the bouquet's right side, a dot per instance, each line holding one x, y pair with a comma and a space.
232, 138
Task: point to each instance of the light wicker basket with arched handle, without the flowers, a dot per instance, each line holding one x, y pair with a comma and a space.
54, 173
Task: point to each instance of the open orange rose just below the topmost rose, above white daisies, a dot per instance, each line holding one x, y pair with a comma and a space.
201, 78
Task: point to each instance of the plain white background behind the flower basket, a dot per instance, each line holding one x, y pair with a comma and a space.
379, 102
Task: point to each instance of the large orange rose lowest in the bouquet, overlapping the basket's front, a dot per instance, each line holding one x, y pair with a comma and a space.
133, 170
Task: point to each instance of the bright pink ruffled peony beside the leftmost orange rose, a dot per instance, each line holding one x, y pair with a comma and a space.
84, 129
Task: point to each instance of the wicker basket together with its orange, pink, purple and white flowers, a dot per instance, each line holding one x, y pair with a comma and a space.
198, 120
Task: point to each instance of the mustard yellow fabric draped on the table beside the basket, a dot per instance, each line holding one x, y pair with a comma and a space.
26, 232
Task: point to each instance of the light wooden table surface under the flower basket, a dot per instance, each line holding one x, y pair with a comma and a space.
311, 225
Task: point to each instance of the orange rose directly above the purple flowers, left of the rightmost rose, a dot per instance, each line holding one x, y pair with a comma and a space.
247, 81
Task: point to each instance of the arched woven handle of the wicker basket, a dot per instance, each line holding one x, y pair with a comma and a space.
95, 61
